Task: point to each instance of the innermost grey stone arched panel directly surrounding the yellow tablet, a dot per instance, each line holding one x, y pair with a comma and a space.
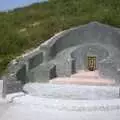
81, 53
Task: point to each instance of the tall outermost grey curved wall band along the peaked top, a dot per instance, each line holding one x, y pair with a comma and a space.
91, 33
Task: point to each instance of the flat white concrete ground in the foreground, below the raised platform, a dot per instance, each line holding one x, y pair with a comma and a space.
35, 108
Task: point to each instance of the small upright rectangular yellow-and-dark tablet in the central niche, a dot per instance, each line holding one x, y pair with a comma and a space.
91, 63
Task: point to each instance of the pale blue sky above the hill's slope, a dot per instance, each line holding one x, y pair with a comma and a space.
6, 5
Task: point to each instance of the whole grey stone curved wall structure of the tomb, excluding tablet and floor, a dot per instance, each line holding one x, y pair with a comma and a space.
60, 56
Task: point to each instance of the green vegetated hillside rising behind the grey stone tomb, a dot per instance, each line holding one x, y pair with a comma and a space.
27, 27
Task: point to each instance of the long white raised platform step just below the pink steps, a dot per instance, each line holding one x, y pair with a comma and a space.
68, 91
